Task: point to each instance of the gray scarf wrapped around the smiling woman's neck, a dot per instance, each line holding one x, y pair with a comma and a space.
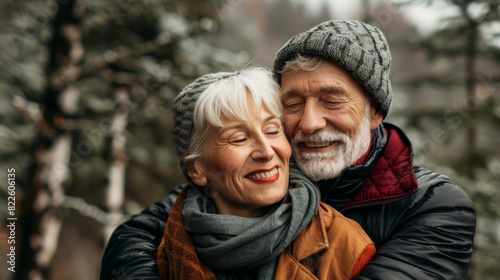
231, 245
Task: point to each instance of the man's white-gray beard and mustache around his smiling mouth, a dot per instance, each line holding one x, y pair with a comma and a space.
320, 166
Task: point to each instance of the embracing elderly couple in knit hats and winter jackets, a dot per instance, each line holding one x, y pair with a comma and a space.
349, 205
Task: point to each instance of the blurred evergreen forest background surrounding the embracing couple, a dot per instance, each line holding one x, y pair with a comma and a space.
86, 88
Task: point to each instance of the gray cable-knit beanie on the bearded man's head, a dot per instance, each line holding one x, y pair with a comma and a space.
359, 48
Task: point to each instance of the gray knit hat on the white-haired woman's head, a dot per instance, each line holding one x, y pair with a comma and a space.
183, 111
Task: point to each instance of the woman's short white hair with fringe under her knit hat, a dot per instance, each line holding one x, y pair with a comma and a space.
227, 98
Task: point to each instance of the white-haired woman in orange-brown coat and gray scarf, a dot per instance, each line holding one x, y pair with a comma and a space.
247, 213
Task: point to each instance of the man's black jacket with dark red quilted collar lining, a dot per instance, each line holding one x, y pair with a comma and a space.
423, 232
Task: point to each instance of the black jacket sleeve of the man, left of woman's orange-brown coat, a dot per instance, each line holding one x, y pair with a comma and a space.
130, 250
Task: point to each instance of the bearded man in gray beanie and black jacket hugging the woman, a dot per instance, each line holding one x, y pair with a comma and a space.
336, 93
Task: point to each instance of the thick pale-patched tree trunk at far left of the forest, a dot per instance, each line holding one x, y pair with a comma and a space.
41, 223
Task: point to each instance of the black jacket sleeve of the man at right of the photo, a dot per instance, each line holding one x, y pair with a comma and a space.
433, 237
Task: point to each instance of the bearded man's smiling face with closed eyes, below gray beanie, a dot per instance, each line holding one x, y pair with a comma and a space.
327, 118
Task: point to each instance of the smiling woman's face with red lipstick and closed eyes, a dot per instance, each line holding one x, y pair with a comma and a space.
246, 164
